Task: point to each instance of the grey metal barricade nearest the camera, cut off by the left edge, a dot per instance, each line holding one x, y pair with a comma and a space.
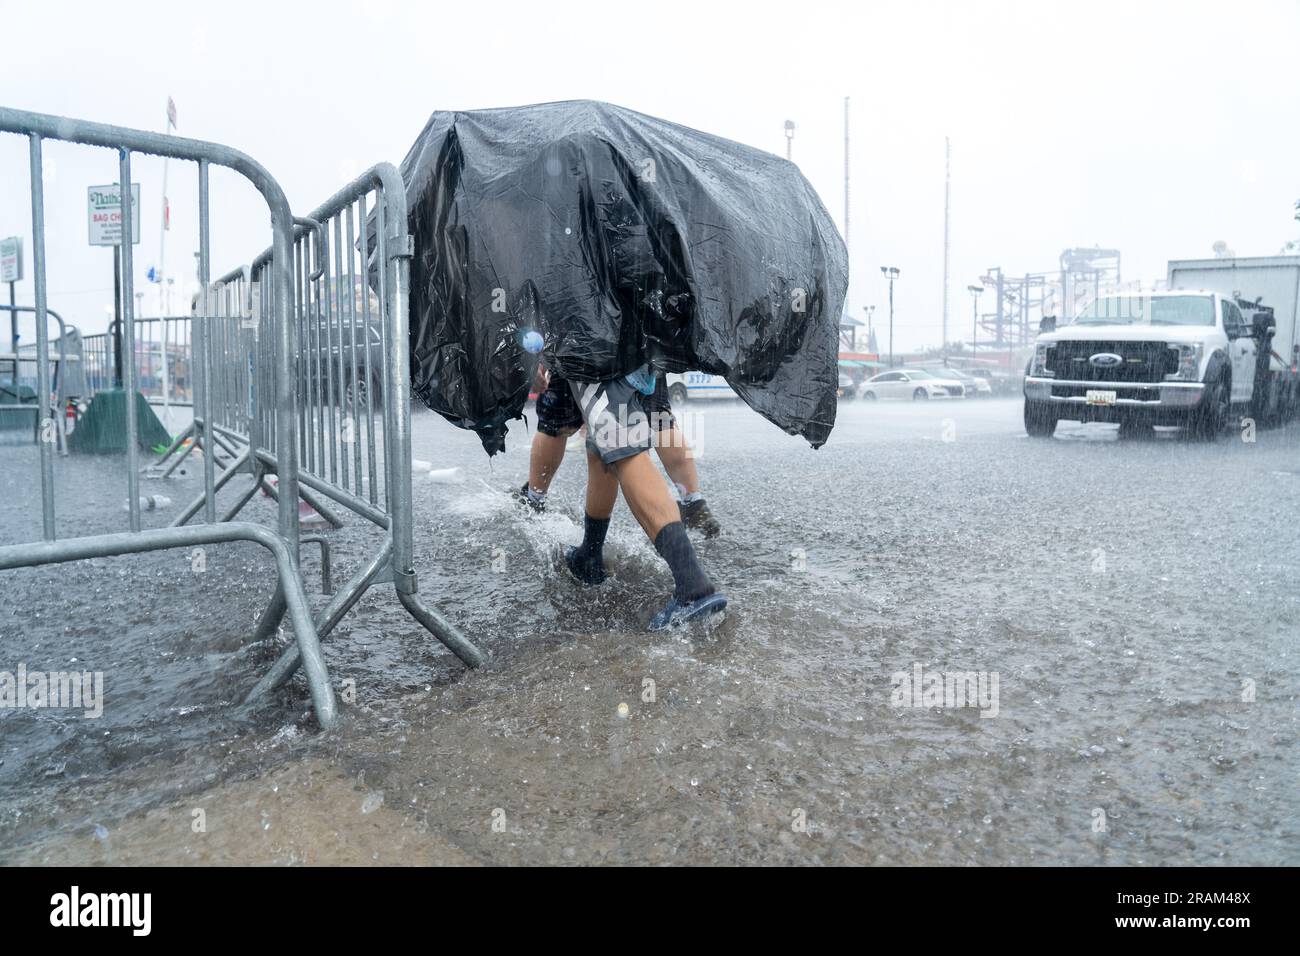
280, 322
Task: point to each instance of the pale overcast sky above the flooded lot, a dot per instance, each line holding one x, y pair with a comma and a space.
1154, 128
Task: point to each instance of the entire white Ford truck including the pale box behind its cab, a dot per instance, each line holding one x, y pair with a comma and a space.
1220, 343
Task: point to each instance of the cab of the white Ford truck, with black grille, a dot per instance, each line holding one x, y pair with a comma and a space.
1172, 358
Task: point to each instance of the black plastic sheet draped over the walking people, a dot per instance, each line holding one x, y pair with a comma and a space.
622, 240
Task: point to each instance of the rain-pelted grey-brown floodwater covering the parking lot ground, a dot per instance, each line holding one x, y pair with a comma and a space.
1138, 604
